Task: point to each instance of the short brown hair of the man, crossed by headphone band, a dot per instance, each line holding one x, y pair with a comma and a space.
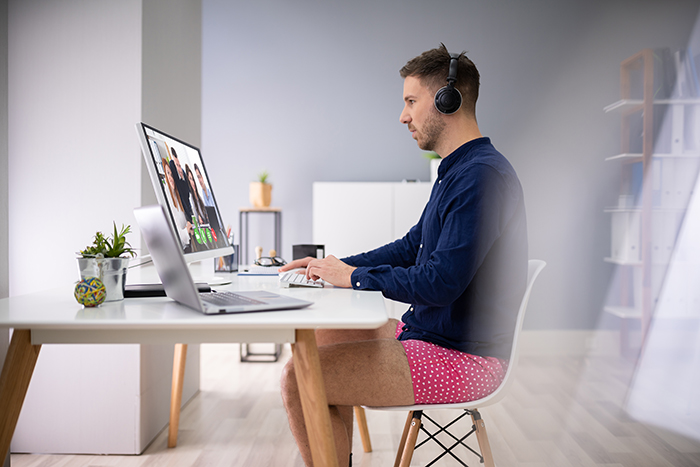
432, 68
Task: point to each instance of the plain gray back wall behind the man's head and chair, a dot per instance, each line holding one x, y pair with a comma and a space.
310, 91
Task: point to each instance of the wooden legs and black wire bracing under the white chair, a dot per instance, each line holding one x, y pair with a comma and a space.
418, 416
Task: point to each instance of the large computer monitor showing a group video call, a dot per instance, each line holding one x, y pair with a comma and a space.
182, 187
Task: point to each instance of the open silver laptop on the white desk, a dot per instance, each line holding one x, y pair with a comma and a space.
170, 263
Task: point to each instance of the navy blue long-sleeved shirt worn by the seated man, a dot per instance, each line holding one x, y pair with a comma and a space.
463, 266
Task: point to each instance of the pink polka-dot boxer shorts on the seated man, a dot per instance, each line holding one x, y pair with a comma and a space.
447, 376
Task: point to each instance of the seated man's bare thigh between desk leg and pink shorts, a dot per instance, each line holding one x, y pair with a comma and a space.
366, 372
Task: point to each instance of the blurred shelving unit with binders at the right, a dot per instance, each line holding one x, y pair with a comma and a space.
653, 197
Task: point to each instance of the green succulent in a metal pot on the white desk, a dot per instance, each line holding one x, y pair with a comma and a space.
107, 259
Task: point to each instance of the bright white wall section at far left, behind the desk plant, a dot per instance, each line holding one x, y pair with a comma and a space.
75, 96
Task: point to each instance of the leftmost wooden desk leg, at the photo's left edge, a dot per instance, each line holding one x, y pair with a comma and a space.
14, 380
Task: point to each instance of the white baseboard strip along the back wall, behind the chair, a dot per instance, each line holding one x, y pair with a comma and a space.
569, 342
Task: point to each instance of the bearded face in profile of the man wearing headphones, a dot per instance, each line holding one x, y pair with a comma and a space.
424, 121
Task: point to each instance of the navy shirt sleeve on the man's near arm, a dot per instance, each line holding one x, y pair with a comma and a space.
472, 213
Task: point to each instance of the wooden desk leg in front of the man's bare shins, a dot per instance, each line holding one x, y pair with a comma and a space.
313, 399
